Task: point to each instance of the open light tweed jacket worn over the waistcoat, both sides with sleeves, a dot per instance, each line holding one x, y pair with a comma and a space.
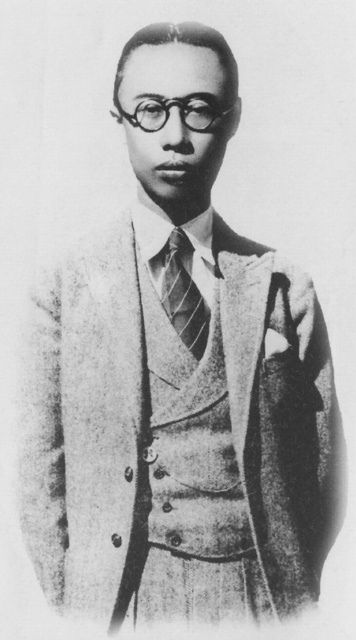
86, 411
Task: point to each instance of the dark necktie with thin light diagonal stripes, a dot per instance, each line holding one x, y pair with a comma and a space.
181, 297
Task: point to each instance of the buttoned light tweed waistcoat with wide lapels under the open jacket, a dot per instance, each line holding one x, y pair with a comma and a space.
197, 505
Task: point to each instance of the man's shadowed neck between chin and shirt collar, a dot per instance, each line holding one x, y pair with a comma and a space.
179, 211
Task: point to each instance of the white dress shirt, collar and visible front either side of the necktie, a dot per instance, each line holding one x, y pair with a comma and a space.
152, 229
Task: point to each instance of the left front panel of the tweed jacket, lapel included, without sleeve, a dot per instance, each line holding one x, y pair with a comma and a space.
105, 396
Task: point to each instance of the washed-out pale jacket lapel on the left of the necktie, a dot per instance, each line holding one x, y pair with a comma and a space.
113, 282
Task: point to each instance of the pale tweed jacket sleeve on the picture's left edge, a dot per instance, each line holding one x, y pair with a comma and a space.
41, 447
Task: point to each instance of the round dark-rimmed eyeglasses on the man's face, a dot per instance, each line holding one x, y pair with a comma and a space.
152, 114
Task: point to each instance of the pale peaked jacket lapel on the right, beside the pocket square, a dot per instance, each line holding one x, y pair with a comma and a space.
243, 309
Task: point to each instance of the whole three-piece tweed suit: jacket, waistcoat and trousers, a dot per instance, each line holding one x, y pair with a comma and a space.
130, 444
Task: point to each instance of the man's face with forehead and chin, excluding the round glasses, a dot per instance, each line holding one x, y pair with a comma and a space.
176, 164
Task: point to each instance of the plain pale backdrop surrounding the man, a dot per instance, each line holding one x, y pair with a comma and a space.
288, 181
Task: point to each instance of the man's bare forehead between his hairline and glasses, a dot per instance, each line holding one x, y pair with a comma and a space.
173, 70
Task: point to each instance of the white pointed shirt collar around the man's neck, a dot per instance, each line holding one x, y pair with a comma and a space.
153, 228
